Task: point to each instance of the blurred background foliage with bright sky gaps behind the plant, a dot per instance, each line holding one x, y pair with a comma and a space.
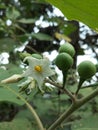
36, 26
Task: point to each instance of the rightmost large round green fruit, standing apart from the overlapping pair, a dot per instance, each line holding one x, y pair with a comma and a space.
86, 69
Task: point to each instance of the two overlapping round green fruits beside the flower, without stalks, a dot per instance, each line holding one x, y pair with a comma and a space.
64, 60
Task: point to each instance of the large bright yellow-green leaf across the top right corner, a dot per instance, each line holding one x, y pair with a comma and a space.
85, 11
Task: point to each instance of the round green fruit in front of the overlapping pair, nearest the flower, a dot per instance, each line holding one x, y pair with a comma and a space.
63, 61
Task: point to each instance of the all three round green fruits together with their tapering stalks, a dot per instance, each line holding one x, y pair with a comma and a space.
64, 62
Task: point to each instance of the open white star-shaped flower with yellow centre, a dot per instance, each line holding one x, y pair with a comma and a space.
38, 69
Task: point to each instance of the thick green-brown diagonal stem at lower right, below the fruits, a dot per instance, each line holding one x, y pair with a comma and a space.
75, 105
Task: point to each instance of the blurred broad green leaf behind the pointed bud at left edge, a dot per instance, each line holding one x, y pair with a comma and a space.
5, 93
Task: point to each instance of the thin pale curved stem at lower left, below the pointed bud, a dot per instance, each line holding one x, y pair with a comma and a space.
29, 107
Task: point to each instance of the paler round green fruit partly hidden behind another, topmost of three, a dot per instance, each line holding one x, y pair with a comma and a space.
68, 48
